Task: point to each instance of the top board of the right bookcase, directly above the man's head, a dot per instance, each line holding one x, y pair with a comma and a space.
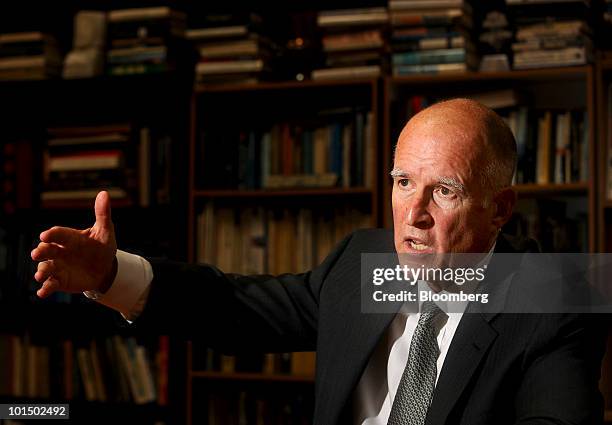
546, 74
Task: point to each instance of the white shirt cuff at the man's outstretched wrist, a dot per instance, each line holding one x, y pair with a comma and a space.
129, 292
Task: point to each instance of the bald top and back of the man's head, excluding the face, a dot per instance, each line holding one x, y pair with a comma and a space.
476, 129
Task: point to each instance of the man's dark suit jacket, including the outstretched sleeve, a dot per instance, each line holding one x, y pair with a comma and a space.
500, 368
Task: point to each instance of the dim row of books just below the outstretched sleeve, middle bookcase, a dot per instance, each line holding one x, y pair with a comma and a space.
296, 364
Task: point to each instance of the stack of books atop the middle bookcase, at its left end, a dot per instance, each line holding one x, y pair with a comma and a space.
231, 49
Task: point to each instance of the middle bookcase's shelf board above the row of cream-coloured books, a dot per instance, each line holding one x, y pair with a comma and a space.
334, 191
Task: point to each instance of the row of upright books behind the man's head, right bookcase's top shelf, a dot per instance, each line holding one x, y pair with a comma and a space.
552, 145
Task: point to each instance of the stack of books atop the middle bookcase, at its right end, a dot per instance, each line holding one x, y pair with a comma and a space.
353, 42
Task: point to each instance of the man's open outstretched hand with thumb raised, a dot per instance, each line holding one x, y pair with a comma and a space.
74, 260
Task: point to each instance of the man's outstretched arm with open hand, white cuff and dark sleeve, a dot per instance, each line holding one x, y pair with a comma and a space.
231, 312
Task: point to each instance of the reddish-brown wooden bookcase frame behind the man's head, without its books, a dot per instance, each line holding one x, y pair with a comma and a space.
538, 90
